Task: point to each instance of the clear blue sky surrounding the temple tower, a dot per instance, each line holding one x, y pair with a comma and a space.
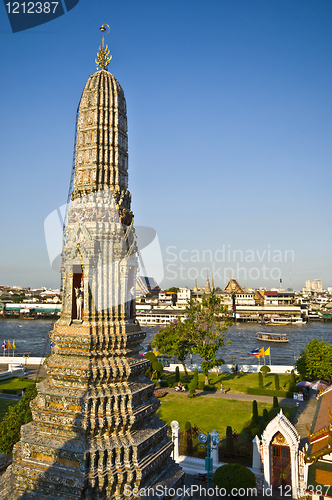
230, 121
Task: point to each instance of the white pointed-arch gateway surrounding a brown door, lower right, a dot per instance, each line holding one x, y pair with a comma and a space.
280, 454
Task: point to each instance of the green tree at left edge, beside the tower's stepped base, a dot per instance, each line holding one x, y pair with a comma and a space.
16, 416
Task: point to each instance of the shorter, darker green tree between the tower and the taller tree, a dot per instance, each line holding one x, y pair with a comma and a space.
174, 340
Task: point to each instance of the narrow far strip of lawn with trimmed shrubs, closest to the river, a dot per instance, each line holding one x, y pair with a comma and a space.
234, 383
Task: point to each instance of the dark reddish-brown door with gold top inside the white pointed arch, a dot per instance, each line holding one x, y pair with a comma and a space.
280, 462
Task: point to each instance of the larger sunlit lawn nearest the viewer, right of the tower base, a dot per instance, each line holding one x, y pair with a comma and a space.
208, 413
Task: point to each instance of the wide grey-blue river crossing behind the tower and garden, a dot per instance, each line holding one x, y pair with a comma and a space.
31, 336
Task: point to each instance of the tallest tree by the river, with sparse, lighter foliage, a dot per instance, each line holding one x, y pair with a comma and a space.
206, 325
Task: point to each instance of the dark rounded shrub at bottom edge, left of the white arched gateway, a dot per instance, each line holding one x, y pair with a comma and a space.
231, 476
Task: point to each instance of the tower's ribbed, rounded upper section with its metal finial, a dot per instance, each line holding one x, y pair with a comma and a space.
101, 160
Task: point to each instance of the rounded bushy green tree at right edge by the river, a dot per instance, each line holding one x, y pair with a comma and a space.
315, 361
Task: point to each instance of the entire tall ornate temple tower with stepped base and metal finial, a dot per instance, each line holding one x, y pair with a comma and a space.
94, 433
